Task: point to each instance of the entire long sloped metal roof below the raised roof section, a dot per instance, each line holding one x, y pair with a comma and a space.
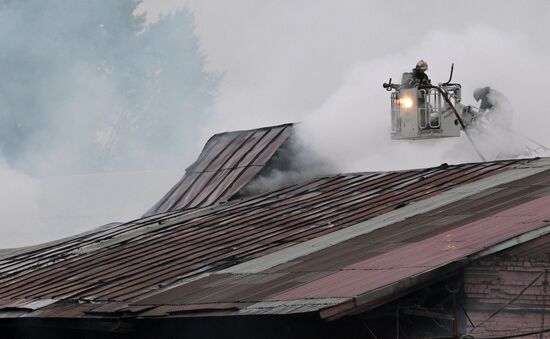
330, 245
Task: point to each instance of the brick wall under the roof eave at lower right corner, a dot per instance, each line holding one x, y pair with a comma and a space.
507, 293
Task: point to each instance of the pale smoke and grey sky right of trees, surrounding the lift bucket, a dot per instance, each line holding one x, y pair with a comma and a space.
324, 64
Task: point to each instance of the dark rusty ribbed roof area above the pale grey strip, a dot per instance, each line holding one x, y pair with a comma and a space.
163, 250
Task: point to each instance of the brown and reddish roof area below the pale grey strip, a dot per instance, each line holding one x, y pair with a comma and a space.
355, 269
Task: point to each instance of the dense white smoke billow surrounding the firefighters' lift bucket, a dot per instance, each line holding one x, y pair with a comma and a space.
352, 127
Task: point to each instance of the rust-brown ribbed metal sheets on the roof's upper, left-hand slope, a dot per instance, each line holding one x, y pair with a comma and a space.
234, 233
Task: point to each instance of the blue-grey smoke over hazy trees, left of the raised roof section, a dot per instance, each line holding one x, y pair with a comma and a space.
89, 94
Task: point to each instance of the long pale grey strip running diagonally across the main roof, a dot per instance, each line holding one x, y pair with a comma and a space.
290, 253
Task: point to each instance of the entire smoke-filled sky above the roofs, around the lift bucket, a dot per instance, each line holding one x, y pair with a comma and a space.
312, 61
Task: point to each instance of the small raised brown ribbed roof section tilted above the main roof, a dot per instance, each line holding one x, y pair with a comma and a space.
227, 163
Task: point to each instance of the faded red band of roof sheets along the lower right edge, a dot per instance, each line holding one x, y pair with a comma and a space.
412, 259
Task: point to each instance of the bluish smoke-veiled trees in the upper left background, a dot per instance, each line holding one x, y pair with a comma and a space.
89, 87
